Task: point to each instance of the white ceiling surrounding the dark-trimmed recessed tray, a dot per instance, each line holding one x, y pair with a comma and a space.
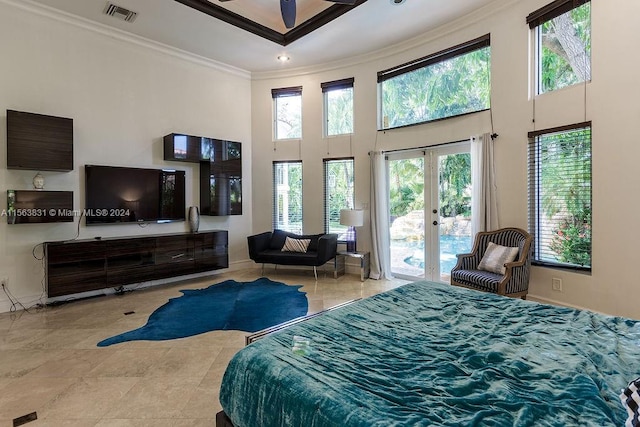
367, 28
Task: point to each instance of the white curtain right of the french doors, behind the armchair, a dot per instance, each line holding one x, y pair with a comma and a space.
484, 202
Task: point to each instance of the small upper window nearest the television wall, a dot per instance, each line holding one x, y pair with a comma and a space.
287, 113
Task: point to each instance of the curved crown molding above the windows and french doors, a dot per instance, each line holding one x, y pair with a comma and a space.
418, 41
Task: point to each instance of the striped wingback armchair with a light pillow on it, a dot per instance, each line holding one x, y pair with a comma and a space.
474, 270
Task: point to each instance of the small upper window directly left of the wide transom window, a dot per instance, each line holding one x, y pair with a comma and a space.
338, 107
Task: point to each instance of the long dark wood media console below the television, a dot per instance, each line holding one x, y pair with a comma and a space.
87, 265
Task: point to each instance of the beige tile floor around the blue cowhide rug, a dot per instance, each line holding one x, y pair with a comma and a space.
49, 362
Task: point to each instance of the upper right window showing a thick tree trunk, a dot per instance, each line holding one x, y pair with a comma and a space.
563, 43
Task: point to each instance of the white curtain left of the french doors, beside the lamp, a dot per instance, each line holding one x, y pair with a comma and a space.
380, 253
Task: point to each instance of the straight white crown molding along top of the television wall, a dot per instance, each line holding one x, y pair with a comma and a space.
105, 30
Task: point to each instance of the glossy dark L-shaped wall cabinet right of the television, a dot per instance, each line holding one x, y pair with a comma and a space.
220, 170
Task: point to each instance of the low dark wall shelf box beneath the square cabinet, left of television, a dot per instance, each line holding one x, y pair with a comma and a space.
39, 206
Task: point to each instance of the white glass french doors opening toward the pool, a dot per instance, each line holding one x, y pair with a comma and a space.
429, 210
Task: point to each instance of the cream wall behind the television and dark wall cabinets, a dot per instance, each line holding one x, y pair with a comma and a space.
124, 95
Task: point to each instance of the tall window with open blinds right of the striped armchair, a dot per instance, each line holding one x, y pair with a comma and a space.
560, 195
